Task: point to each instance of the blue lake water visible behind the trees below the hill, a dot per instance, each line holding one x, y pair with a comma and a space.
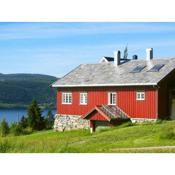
12, 115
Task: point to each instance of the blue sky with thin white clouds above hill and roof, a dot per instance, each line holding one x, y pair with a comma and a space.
57, 48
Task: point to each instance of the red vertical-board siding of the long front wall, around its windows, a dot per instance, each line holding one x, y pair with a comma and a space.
126, 100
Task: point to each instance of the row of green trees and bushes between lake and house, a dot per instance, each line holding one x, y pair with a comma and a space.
33, 122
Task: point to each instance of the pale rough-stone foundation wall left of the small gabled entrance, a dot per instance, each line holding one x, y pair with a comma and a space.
69, 122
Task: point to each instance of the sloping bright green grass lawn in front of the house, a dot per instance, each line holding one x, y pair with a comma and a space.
104, 141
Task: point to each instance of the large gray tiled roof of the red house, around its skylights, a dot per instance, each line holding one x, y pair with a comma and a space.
107, 74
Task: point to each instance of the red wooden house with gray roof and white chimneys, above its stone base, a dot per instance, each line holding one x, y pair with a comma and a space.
119, 89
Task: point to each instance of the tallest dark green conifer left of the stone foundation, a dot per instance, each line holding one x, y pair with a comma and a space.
35, 120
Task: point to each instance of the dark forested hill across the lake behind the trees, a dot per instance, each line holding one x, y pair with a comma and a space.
18, 90
